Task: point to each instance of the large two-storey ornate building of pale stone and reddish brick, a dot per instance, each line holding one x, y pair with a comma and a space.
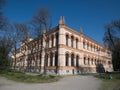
63, 51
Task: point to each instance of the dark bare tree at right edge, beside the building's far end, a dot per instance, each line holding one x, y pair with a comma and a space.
112, 41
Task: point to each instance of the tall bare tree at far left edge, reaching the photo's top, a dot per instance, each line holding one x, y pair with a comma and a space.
5, 41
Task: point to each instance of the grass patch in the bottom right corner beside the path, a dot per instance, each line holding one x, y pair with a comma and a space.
110, 84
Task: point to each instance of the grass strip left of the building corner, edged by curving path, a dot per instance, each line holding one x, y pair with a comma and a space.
22, 77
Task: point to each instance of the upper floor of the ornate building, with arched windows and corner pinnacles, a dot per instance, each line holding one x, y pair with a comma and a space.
63, 35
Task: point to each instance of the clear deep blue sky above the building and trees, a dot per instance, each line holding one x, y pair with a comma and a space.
90, 15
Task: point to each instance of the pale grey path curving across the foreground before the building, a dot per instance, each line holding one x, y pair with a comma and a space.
67, 83
